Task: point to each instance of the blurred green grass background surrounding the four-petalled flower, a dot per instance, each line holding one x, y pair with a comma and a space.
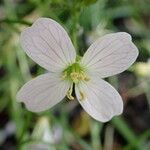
67, 126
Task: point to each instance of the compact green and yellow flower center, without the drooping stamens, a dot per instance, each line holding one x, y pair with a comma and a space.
75, 73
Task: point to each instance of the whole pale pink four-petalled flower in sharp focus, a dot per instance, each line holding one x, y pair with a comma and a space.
49, 45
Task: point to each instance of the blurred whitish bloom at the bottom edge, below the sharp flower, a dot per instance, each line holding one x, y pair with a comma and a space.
44, 136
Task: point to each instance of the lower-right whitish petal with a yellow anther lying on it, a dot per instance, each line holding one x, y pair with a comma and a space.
101, 101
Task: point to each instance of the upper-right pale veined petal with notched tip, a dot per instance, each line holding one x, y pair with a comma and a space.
110, 55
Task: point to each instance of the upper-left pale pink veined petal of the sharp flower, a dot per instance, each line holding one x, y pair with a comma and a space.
48, 44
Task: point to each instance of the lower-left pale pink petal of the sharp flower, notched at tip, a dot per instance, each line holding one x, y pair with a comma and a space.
43, 92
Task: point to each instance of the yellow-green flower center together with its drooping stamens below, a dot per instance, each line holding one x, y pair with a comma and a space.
74, 73
